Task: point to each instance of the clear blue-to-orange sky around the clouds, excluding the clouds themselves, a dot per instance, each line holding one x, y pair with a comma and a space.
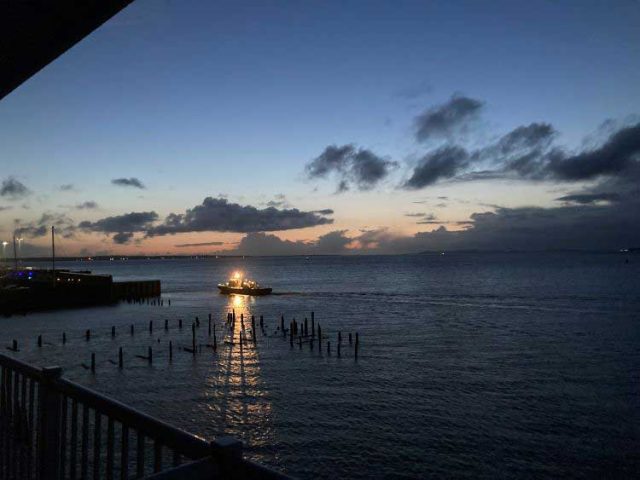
200, 98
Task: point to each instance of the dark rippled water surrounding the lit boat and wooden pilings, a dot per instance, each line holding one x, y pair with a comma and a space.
491, 365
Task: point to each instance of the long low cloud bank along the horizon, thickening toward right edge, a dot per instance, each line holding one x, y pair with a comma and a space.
580, 226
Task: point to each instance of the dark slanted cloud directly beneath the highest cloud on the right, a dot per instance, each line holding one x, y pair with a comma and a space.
443, 163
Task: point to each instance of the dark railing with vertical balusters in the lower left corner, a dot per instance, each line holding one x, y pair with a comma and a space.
52, 428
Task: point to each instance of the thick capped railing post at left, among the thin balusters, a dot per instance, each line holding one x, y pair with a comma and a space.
49, 425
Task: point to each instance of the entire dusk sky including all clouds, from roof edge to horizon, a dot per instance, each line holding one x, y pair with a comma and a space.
191, 127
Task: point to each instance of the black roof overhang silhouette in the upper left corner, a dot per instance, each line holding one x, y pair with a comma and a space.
35, 32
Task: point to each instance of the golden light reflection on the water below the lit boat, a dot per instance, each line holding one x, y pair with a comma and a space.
236, 391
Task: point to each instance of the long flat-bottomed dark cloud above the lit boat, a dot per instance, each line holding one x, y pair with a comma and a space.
217, 214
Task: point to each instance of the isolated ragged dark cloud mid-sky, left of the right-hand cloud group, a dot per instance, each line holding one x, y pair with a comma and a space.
350, 165
